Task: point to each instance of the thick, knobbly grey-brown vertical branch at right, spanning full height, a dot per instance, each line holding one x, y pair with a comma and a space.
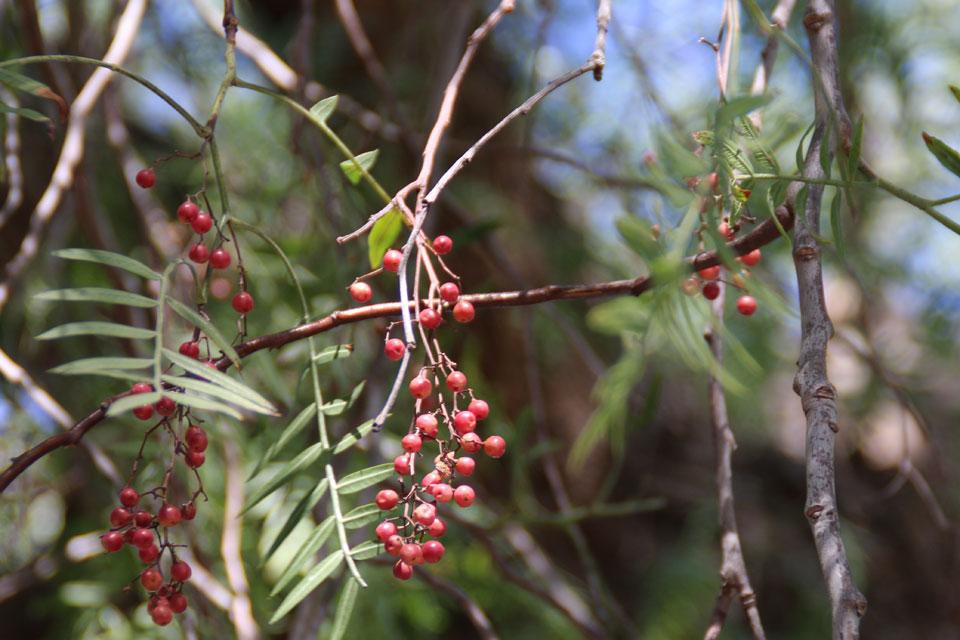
817, 395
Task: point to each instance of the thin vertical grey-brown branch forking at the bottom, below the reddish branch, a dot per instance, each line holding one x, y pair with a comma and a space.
733, 568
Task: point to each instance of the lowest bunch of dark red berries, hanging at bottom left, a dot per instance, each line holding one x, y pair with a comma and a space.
140, 529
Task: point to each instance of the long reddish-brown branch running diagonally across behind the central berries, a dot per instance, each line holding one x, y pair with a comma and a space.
765, 233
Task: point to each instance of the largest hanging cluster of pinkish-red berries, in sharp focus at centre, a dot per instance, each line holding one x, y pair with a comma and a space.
446, 425
